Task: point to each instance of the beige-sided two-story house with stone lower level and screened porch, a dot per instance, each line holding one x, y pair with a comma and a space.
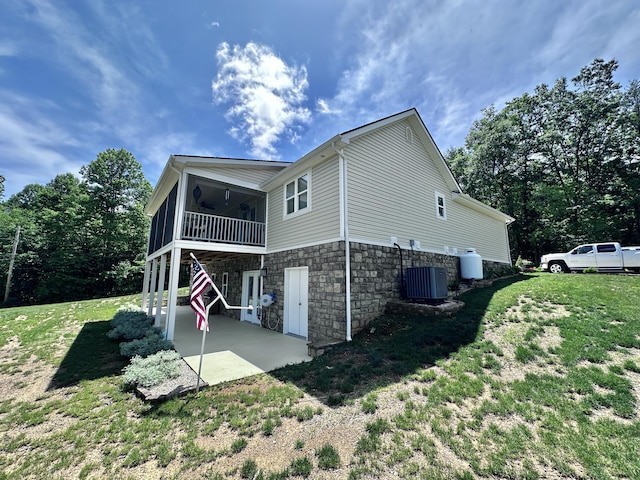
323, 234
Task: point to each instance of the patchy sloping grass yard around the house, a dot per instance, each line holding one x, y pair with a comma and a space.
538, 377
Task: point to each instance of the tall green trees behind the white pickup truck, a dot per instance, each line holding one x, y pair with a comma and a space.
563, 160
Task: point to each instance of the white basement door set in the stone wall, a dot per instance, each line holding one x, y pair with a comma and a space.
296, 301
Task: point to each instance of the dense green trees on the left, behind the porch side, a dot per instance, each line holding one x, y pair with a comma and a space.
79, 237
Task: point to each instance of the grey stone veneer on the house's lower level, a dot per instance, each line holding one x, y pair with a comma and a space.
375, 281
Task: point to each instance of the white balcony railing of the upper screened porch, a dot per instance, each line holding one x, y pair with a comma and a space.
213, 228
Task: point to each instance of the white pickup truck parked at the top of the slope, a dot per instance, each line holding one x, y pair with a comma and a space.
604, 257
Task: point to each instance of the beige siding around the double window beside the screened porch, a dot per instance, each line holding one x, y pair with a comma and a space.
319, 224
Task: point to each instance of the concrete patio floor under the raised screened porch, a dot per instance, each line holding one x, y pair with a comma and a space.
234, 349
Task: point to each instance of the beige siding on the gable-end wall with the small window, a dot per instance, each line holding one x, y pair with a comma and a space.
391, 194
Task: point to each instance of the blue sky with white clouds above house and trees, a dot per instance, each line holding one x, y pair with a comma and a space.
273, 79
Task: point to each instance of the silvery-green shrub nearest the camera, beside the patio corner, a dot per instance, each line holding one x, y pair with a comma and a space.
152, 370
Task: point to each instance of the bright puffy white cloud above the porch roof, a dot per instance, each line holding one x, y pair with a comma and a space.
265, 96
